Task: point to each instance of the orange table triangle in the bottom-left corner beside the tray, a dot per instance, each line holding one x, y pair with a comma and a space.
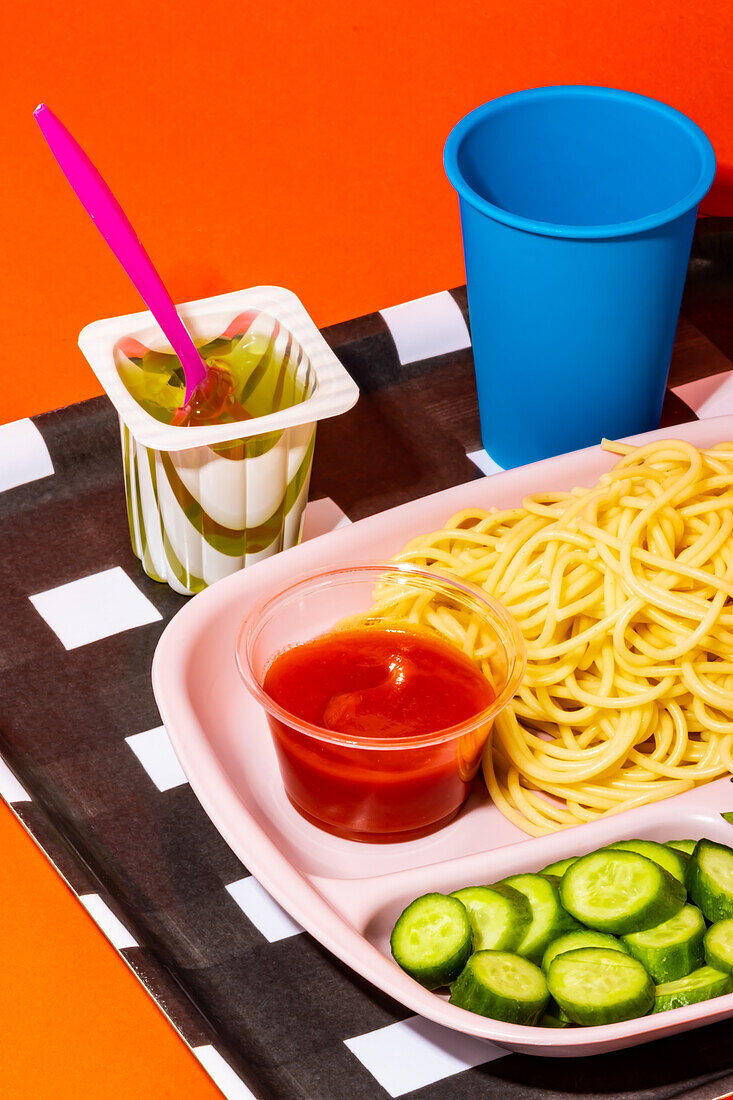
75, 1022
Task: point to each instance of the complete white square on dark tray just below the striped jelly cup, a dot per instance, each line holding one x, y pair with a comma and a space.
95, 608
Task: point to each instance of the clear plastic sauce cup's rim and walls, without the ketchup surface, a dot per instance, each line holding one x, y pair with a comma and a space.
375, 789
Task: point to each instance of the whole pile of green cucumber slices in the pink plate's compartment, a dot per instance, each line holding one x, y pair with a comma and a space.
621, 932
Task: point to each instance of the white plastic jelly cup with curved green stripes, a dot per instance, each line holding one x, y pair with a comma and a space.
206, 501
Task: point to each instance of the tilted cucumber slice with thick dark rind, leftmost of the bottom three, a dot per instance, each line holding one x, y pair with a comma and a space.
501, 986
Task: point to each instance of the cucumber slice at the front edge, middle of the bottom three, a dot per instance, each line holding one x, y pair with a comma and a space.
596, 986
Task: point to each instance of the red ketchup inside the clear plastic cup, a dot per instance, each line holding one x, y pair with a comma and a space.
369, 685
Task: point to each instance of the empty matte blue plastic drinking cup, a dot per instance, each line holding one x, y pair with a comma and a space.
578, 207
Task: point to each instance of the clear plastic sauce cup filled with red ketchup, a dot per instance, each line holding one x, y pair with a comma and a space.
379, 723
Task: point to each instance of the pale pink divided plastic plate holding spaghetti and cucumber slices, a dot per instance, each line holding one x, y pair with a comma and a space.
349, 895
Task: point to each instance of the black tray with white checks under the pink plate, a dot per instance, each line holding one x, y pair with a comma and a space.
91, 774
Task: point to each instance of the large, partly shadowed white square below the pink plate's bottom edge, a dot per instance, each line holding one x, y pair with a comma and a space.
414, 1053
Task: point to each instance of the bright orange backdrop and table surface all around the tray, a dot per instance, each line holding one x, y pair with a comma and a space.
280, 142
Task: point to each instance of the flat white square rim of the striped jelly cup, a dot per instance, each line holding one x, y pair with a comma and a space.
335, 391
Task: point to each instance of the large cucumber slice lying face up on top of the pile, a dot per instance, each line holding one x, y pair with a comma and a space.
620, 892
